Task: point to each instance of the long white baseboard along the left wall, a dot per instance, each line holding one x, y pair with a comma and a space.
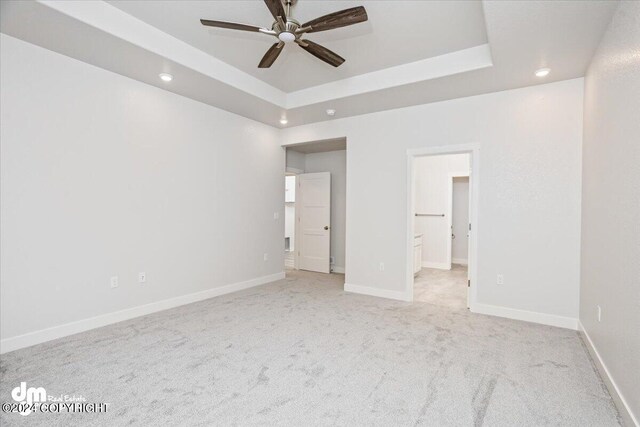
60, 331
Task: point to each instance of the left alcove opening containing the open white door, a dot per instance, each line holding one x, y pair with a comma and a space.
316, 236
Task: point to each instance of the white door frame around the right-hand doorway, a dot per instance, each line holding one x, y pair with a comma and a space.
473, 149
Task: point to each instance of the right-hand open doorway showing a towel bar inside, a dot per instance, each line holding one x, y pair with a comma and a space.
441, 209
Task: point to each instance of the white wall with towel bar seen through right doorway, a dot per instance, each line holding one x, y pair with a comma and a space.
432, 188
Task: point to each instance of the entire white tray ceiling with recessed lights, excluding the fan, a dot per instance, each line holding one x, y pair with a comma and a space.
467, 48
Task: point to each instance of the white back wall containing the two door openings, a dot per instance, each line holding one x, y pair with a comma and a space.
529, 176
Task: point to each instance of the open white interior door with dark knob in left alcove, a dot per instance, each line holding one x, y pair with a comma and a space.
314, 216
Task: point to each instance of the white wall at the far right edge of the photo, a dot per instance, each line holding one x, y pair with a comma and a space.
611, 205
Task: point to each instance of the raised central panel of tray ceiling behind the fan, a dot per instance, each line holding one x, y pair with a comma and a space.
396, 33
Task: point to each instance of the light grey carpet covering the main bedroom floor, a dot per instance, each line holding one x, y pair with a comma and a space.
303, 352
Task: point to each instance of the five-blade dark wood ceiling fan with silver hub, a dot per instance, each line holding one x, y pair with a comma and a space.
287, 30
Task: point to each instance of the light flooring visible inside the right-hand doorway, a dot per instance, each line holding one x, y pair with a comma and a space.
446, 288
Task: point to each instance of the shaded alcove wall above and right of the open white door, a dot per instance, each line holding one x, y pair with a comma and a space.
334, 162
